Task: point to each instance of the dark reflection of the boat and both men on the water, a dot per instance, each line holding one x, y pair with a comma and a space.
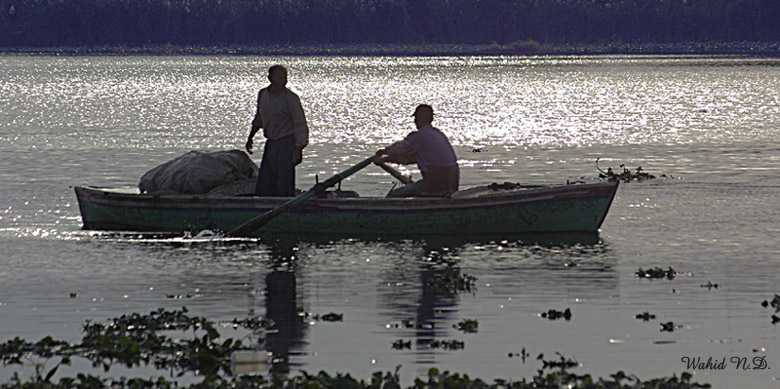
315, 272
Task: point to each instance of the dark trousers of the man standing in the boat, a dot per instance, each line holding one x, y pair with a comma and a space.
277, 172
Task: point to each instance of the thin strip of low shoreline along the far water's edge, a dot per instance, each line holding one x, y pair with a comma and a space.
748, 49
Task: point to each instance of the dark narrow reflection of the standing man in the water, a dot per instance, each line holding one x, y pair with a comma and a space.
282, 307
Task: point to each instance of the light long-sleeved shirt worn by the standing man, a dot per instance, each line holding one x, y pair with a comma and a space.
281, 114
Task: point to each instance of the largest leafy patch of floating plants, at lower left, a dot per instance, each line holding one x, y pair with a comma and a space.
135, 339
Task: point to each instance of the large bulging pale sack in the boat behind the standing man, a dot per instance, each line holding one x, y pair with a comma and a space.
198, 172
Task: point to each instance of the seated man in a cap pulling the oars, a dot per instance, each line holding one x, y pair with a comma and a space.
430, 149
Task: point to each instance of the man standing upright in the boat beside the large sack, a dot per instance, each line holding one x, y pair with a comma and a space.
280, 115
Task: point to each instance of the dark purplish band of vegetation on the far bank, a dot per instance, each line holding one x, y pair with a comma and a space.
524, 26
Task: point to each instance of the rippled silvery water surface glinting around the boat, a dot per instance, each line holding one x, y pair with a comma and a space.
709, 123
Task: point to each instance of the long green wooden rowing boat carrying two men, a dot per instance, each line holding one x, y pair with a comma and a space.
495, 209
